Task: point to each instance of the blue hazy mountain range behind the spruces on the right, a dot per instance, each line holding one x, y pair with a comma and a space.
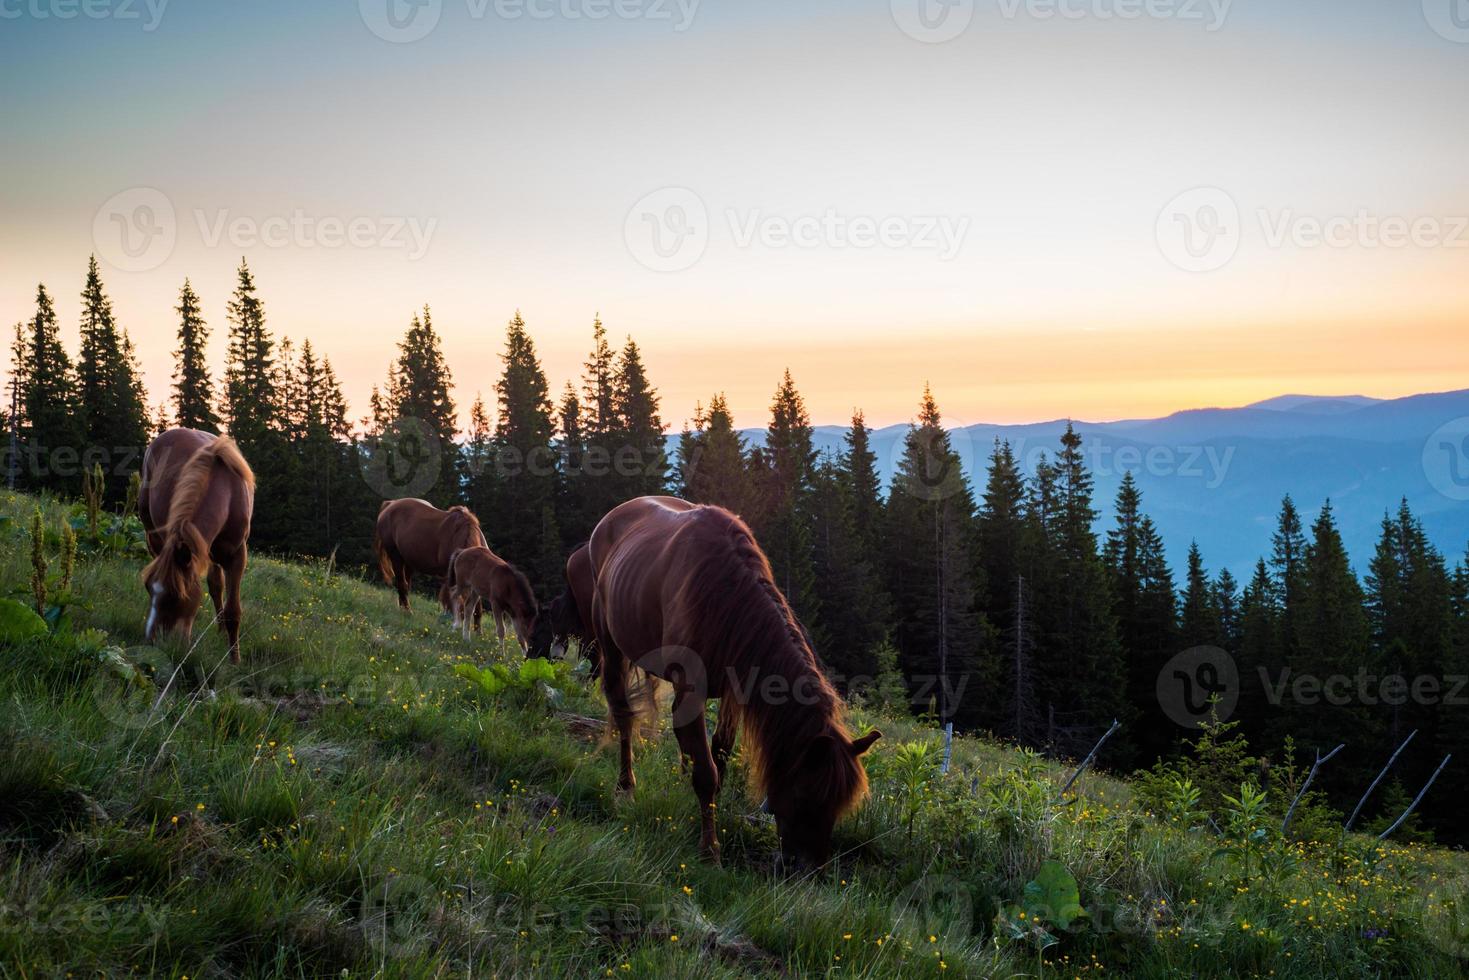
1219, 475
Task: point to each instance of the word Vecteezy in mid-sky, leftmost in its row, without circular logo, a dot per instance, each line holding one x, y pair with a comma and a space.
300, 230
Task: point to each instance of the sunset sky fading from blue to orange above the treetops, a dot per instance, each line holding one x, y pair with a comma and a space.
534, 149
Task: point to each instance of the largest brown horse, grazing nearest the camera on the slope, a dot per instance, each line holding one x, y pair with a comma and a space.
684, 593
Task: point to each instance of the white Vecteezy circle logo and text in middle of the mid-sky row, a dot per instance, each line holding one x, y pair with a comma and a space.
669, 231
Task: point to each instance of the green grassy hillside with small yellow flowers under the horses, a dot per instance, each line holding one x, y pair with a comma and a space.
346, 804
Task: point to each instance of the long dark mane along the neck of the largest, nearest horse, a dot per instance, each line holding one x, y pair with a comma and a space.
759, 635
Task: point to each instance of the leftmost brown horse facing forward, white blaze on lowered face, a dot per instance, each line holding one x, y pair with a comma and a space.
196, 500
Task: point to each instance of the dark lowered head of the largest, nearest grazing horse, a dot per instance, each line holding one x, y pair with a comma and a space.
828, 782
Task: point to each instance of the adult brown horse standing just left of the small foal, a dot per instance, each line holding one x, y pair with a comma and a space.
414, 536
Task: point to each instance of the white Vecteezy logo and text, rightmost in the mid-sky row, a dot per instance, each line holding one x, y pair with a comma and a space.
1202, 230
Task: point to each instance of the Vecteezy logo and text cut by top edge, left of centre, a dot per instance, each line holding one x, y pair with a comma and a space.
408, 21
